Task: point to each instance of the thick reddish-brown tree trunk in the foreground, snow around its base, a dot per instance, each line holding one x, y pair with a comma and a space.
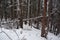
44, 21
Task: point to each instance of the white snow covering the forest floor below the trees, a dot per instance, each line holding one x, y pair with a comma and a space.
27, 33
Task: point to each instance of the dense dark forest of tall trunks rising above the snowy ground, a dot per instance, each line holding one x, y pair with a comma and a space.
46, 12
